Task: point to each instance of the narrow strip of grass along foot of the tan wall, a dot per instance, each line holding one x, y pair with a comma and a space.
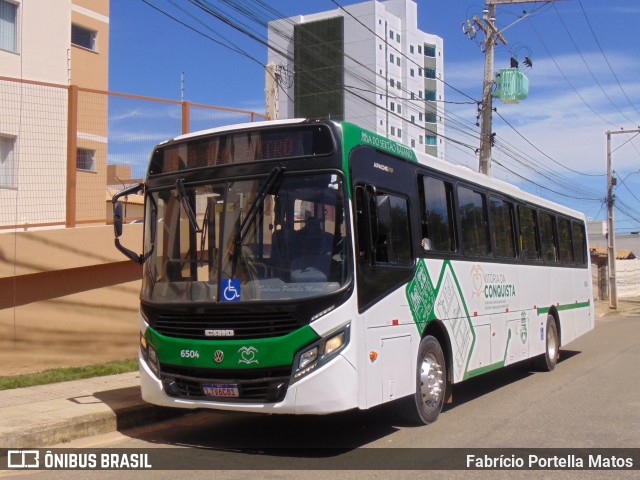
71, 373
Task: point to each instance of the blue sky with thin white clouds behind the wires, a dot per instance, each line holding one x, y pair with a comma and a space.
584, 81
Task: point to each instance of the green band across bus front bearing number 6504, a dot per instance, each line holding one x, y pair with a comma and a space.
231, 354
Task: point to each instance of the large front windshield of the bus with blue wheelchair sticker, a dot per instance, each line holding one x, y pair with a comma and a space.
274, 237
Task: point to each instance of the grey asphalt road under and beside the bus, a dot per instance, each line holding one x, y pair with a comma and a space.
591, 400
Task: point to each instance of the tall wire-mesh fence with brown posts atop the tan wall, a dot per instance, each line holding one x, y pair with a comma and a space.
65, 149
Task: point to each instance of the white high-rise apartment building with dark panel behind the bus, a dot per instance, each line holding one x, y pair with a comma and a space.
368, 64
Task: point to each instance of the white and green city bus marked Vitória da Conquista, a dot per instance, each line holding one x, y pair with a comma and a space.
310, 267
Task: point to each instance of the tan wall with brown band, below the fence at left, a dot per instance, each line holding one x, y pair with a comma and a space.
68, 297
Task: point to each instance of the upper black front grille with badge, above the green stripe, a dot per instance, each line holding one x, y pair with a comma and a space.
242, 325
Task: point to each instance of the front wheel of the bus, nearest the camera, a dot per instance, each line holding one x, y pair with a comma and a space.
425, 405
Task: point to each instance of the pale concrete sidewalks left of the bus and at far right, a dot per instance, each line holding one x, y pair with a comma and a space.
45, 415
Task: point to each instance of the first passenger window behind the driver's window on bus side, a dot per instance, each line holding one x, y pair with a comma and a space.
437, 215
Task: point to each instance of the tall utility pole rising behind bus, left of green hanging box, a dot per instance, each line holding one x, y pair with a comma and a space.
492, 36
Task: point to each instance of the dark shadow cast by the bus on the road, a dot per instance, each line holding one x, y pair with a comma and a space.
314, 436
